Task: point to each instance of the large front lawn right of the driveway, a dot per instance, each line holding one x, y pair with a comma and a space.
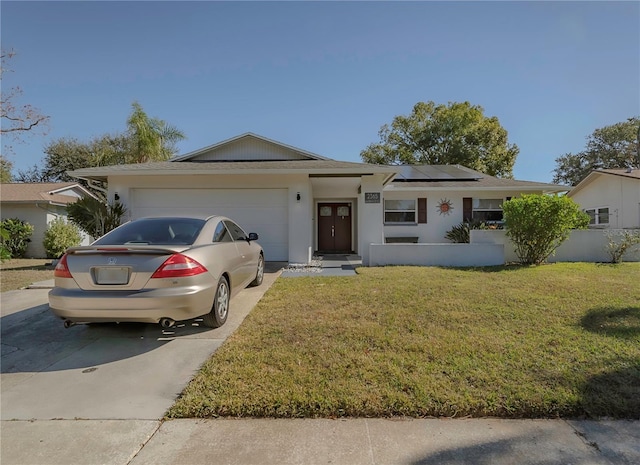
558, 340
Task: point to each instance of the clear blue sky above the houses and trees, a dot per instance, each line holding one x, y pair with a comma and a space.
324, 76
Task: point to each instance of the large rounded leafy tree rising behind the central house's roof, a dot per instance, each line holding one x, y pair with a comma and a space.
457, 133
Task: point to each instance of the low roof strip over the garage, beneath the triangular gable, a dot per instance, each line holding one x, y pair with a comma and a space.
311, 167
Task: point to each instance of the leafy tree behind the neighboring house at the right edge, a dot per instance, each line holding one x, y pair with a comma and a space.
614, 146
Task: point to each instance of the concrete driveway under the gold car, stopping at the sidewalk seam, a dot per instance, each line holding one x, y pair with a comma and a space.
105, 371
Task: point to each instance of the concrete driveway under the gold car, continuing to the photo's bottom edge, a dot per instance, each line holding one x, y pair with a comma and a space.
95, 394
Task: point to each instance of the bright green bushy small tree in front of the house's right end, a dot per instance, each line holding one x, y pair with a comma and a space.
538, 224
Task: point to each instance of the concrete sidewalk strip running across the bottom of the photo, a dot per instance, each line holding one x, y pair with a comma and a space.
348, 442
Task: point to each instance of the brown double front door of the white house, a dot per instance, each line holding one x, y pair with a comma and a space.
334, 227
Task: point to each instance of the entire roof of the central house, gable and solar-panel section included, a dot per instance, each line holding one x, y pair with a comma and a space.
253, 154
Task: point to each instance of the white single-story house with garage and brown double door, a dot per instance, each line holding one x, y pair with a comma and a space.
300, 202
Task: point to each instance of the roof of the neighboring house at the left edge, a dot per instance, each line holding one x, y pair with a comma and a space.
51, 192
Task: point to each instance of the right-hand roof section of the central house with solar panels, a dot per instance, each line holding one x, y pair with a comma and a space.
437, 177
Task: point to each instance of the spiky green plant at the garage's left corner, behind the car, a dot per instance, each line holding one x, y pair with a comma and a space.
95, 217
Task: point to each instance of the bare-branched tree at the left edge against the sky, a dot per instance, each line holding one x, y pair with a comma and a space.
18, 119
